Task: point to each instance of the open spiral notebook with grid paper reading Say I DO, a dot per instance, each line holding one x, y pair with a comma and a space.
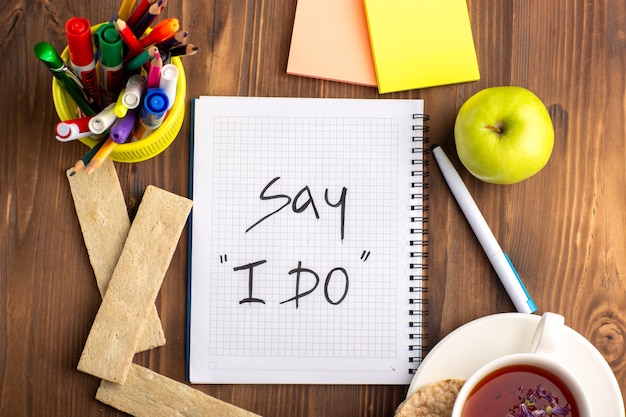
308, 240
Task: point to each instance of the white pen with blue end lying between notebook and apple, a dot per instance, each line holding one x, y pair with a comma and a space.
499, 259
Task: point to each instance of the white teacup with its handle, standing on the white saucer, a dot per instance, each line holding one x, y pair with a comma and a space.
542, 358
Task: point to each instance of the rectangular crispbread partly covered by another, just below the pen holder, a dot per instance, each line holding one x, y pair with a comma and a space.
104, 221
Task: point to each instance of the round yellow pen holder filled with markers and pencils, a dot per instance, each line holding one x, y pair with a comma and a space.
143, 149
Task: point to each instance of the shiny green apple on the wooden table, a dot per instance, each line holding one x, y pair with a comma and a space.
504, 135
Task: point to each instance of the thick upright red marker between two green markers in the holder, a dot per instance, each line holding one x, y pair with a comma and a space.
80, 47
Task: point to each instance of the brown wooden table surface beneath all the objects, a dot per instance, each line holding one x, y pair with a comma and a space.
564, 228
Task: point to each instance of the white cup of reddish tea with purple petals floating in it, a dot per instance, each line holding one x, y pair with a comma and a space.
522, 384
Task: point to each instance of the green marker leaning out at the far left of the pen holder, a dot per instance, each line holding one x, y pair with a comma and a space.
65, 77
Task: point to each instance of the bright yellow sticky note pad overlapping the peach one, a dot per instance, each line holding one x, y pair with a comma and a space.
421, 43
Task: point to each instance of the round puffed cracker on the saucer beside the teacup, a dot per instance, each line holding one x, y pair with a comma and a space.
431, 400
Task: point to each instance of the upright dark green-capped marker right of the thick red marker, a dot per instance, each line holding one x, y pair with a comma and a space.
111, 75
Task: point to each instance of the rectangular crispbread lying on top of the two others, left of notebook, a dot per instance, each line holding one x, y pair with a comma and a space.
134, 285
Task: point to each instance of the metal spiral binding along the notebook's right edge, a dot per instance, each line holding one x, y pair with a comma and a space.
418, 304
